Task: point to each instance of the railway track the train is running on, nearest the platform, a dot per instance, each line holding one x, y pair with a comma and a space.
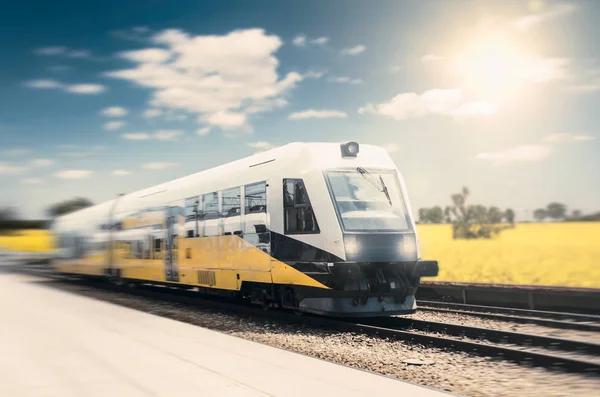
393, 328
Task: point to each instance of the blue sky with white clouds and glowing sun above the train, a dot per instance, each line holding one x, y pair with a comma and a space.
105, 97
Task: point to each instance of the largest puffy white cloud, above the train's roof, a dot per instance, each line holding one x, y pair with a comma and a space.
220, 78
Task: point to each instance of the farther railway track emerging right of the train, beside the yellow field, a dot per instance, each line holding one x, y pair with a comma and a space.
583, 322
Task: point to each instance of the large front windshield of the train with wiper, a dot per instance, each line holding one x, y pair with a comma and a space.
368, 200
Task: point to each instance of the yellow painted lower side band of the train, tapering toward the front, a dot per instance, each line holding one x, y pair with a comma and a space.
220, 262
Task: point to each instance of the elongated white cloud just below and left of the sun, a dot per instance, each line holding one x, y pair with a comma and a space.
449, 102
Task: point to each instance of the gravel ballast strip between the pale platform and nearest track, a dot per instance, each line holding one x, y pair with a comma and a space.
451, 371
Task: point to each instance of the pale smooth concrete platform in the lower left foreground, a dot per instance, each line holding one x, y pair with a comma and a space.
54, 343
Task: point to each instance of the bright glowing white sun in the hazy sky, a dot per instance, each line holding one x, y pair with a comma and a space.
492, 66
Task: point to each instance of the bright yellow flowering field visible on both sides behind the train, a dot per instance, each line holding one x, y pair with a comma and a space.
565, 254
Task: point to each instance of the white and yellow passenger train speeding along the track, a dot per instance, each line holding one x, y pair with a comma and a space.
320, 228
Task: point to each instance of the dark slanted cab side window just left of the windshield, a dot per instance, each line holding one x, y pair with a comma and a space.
299, 217
